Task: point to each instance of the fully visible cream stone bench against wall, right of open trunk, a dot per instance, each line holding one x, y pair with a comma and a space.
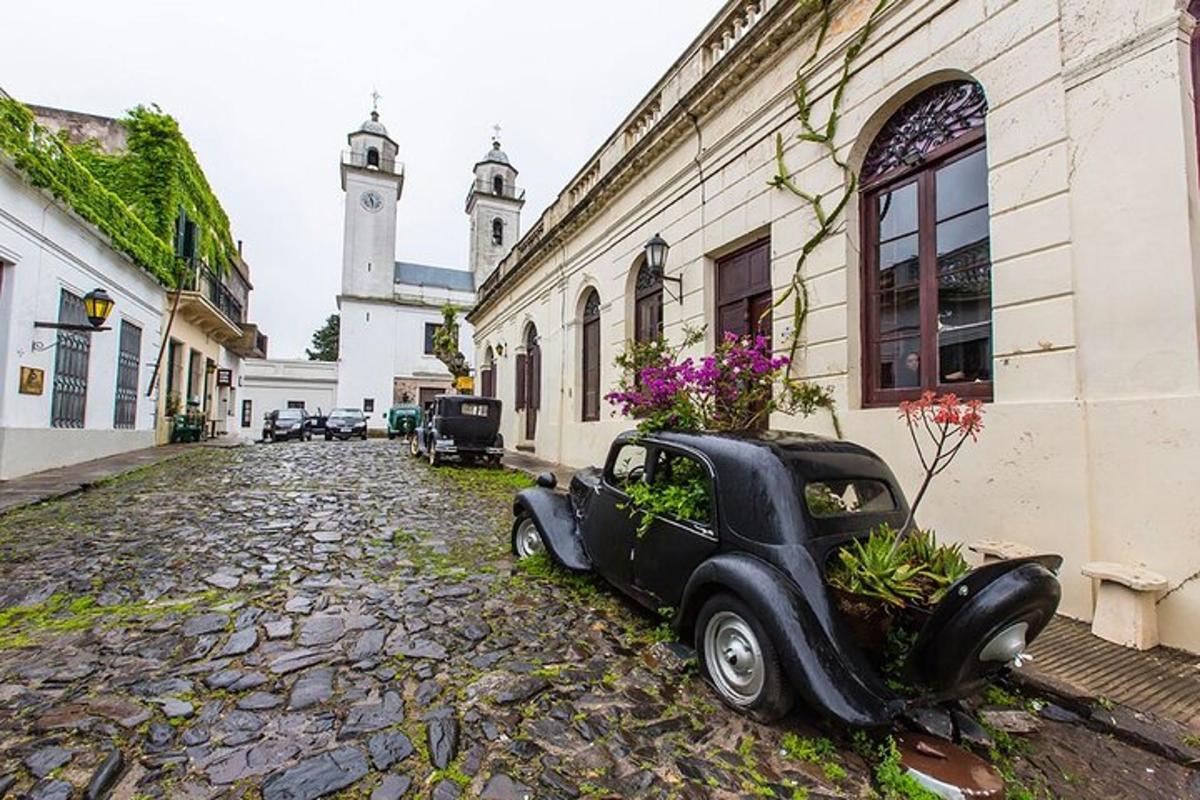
1125, 604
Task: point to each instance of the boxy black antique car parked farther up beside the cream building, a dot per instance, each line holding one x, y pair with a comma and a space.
460, 426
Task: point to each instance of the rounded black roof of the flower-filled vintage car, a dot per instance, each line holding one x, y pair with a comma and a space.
766, 468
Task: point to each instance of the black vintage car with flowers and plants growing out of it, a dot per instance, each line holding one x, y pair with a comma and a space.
747, 584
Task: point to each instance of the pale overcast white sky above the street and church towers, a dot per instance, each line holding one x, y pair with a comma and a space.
267, 93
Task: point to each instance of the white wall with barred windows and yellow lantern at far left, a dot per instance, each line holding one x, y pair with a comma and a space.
44, 250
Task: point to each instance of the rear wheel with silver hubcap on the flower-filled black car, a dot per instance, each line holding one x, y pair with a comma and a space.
740, 659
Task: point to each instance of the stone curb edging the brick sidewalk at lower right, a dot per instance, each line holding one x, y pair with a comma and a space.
1160, 736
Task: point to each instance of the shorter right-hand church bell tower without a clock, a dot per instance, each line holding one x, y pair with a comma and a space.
494, 204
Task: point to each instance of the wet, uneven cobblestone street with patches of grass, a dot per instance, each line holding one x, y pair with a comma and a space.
302, 621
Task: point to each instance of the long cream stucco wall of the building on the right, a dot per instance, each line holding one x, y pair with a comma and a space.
1093, 438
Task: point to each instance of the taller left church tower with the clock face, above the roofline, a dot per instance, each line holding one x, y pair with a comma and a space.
373, 181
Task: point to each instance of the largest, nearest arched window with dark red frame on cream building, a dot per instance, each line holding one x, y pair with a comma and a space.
927, 266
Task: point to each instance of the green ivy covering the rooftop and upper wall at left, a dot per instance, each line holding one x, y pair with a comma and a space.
134, 196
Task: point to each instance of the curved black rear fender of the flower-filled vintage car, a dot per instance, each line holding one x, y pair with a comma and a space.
821, 672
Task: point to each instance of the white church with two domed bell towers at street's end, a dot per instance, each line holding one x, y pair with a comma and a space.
392, 309
